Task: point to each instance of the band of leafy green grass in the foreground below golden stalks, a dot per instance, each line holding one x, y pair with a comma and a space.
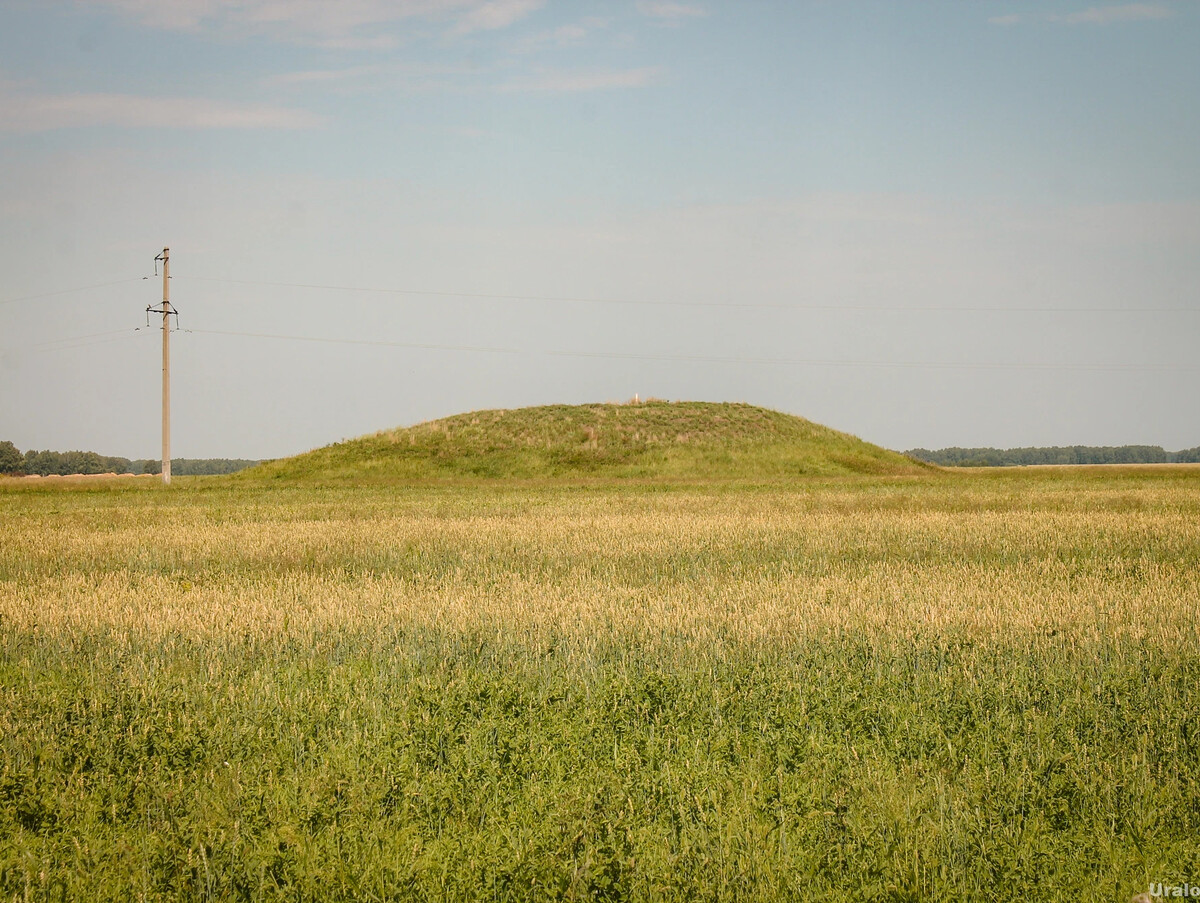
434, 767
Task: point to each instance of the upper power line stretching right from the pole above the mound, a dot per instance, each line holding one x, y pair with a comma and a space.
652, 303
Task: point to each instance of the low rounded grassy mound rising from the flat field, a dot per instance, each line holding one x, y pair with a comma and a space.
652, 440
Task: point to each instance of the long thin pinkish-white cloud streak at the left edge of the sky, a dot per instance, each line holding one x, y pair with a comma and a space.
23, 112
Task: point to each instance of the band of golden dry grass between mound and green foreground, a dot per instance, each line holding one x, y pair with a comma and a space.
1078, 559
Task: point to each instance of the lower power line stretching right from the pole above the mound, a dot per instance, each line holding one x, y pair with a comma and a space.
709, 360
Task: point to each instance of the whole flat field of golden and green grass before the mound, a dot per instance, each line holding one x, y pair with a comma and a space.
921, 686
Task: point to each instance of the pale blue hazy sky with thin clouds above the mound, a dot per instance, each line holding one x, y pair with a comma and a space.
927, 224
